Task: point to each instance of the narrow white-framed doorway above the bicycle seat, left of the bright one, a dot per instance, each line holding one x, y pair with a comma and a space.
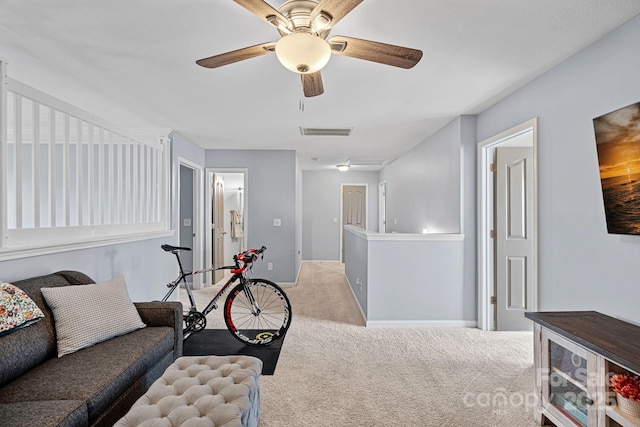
190, 225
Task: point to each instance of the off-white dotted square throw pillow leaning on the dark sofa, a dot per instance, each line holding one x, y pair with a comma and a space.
88, 314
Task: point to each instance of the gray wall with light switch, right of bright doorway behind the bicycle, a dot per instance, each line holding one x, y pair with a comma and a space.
271, 194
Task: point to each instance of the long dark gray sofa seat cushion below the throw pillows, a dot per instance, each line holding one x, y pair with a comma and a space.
98, 374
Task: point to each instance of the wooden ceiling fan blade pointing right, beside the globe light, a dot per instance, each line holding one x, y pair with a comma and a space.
382, 53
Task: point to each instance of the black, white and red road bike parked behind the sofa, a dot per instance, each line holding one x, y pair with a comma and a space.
257, 311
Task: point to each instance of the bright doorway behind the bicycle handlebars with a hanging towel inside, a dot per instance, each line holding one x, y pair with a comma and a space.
227, 218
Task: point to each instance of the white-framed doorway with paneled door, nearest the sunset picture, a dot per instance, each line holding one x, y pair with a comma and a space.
507, 225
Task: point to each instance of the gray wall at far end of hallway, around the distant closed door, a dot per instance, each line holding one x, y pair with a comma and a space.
321, 194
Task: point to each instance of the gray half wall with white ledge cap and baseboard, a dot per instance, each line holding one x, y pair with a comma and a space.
407, 280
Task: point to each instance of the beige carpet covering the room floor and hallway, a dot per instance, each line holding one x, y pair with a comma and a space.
333, 371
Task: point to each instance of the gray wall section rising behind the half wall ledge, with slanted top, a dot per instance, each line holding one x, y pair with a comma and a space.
423, 185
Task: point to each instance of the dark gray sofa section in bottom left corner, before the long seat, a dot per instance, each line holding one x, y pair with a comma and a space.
51, 413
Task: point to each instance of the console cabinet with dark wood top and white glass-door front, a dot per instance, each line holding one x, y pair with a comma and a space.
574, 355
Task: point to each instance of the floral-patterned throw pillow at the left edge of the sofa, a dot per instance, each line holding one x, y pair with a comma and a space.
17, 310
